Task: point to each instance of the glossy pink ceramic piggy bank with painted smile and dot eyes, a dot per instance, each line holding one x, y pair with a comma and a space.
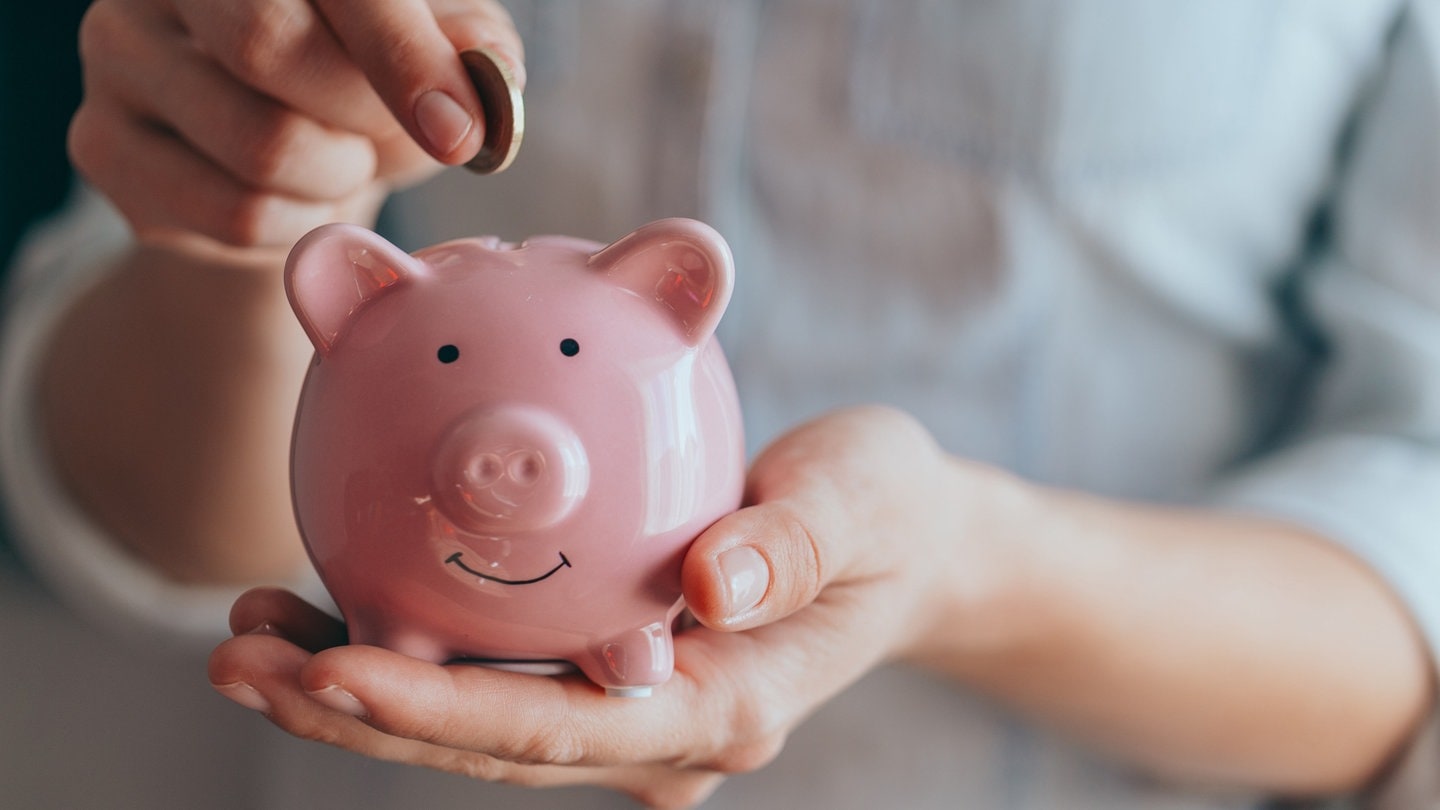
502, 452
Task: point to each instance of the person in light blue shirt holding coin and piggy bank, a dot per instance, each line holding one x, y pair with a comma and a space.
1089, 355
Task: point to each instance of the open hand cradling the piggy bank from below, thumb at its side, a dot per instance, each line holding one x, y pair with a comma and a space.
849, 522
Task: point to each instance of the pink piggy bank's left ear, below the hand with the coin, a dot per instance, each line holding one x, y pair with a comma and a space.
335, 272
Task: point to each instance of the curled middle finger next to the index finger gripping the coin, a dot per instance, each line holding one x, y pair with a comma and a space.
286, 51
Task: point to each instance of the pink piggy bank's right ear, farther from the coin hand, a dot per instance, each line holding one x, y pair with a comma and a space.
683, 266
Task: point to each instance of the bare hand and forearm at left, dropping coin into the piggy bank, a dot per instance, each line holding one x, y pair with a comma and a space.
225, 132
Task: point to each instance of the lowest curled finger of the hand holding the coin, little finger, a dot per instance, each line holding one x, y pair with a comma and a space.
161, 185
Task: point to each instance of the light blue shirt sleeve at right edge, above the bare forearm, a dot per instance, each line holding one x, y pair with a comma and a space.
1364, 466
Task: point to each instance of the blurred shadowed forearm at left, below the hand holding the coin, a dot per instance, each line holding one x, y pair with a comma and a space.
168, 397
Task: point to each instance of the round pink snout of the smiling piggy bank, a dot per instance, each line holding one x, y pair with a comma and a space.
510, 471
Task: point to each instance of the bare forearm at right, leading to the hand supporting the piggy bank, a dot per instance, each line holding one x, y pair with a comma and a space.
1202, 646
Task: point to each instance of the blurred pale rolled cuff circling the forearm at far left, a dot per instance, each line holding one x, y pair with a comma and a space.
66, 550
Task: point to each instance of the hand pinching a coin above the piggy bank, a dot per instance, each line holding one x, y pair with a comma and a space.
253, 123
